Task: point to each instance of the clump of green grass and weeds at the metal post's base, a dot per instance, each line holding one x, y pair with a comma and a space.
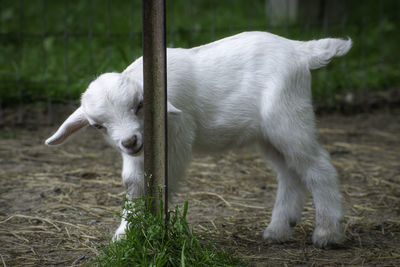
153, 240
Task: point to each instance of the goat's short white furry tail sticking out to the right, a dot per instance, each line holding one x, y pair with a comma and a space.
319, 53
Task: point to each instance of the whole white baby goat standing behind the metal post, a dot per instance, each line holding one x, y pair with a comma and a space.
251, 88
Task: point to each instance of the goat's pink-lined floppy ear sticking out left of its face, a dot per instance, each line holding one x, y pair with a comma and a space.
75, 121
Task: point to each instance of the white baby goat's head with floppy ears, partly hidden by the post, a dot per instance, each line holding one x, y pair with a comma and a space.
113, 103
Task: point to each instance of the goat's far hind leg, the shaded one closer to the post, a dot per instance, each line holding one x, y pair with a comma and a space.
289, 200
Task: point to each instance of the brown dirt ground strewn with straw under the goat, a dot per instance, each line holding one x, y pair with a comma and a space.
57, 205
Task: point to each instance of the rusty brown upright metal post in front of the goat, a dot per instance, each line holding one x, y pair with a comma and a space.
155, 102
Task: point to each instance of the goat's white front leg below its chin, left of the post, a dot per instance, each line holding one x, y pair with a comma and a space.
132, 177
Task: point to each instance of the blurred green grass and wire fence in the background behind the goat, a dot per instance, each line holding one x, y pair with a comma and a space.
51, 50
